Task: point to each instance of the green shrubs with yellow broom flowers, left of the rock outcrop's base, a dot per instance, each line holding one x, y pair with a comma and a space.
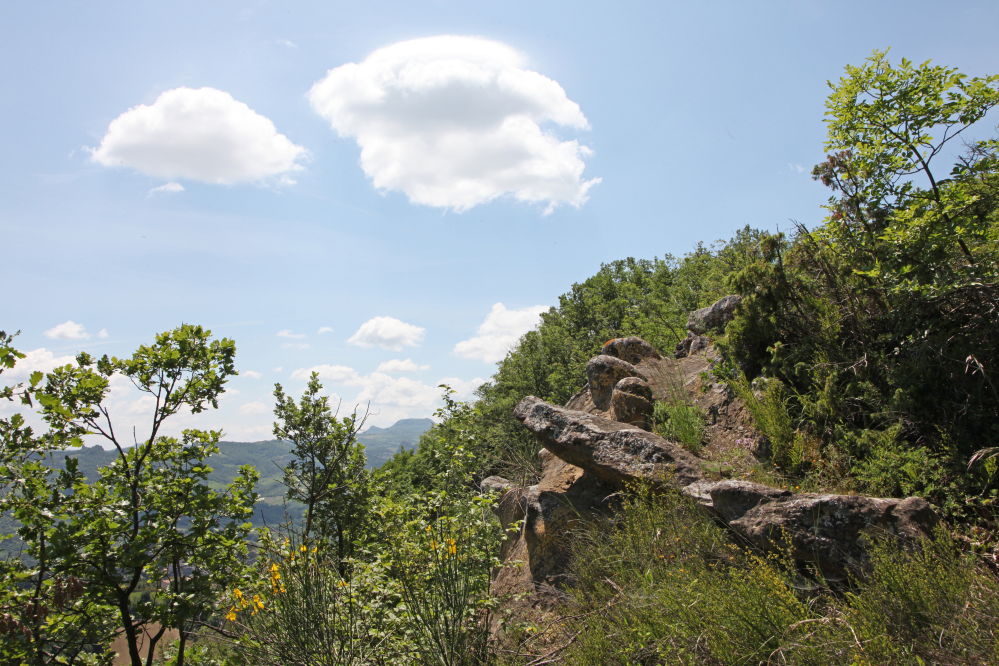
414, 591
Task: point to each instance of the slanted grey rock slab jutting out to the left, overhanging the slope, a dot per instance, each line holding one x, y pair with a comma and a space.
614, 452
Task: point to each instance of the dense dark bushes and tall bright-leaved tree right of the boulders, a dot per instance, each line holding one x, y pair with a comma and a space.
881, 322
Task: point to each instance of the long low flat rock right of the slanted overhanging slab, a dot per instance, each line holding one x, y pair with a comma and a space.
825, 530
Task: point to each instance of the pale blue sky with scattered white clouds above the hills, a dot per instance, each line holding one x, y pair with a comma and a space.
389, 193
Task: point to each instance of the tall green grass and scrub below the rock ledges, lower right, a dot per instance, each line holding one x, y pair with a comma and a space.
666, 585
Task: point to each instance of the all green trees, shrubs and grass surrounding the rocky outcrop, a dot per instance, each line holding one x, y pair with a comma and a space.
864, 349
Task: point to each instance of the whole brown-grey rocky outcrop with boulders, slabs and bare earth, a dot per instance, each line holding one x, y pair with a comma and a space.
595, 447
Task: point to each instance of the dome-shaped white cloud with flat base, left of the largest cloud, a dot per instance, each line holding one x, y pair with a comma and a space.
201, 134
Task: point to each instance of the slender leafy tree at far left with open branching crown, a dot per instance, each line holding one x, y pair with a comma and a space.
150, 515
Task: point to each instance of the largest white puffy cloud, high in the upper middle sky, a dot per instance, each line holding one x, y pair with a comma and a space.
454, 122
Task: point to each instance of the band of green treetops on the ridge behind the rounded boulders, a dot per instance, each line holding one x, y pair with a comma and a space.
647, 298
